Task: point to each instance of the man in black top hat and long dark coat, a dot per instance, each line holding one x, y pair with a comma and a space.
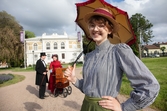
41, 75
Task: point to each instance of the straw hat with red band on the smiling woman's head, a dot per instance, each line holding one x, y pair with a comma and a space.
104, 13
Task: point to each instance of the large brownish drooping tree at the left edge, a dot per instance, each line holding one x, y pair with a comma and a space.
10, 45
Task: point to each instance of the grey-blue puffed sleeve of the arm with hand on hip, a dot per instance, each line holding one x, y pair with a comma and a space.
144, 84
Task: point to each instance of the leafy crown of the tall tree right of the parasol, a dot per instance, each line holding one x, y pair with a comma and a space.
142, 28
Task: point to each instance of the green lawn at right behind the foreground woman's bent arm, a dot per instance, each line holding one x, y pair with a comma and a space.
158, 66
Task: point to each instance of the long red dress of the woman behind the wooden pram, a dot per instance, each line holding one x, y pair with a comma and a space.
53, 66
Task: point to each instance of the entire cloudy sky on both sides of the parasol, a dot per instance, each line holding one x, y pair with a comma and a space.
58, 16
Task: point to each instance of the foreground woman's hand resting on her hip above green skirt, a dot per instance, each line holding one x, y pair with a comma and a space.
111, 103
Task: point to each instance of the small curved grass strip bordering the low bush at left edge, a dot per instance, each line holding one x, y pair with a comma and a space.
16, 79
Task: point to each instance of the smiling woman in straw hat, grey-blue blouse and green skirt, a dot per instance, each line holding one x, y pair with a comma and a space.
104, 67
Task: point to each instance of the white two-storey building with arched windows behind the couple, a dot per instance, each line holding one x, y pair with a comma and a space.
67, 48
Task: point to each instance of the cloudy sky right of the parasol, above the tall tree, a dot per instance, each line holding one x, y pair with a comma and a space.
153, 10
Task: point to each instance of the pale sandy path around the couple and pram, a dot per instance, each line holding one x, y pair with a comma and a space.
23, 96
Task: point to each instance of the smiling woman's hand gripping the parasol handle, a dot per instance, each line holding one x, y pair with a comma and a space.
70, 74
